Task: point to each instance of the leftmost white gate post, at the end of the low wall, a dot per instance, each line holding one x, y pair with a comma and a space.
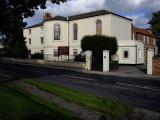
88, 60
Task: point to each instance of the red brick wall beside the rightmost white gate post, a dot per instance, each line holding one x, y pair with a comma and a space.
156, 66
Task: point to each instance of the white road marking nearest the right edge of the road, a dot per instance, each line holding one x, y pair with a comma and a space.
139, 86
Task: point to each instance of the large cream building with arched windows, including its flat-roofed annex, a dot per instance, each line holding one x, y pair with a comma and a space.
58, 31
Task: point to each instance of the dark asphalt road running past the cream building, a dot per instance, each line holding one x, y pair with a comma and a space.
144, 93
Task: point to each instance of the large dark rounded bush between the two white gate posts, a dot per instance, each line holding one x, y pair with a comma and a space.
97, 44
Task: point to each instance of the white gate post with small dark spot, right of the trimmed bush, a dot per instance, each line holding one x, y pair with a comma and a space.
105, 61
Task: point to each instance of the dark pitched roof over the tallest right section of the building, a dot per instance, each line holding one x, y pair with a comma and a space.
94, 13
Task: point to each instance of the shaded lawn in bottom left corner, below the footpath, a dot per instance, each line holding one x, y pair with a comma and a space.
16, 104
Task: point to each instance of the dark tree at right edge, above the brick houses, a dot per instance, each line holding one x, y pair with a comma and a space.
155, 26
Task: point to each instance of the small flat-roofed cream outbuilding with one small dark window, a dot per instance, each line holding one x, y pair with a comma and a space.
130, 52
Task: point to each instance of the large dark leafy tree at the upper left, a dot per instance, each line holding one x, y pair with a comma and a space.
12, 13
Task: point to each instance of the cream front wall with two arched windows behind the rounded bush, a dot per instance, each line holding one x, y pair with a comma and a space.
87, 26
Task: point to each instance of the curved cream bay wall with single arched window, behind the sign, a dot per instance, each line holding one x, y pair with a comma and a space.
49, 43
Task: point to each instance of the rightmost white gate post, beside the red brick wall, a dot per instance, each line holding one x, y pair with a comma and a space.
150, 54
